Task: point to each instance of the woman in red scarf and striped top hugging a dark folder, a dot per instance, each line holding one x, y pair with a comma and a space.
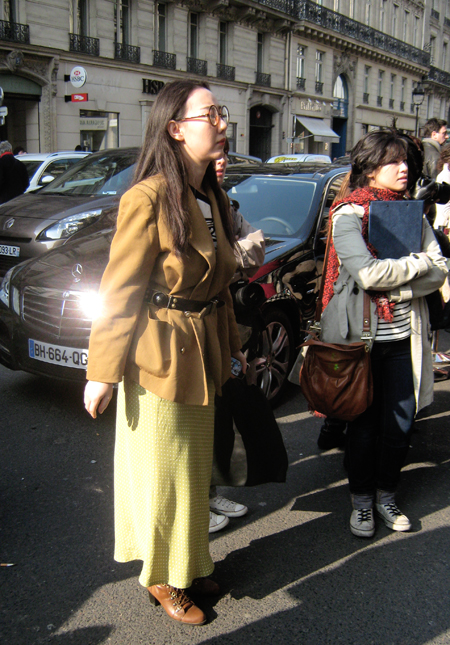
378, 440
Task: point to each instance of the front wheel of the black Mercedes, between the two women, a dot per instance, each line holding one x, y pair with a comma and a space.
270, 367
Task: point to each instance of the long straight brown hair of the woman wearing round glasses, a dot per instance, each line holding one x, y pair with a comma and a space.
161, 153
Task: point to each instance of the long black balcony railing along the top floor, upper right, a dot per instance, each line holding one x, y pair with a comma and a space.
326, 18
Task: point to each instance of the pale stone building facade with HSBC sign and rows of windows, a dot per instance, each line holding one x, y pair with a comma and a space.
296, 75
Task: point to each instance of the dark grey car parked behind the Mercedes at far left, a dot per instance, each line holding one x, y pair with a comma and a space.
78, 201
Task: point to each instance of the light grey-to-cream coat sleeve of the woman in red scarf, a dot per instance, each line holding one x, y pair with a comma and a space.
367, 271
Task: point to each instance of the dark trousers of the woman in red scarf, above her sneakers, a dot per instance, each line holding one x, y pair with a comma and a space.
378, 440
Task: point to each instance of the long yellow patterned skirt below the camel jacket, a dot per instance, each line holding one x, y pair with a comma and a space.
162, 473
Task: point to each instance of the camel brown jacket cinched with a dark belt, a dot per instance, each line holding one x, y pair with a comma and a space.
168, 352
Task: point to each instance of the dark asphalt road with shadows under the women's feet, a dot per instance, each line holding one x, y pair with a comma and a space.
291, 571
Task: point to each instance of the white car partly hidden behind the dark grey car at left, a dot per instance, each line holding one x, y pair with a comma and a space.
43, 168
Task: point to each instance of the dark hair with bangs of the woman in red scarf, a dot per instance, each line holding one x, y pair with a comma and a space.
375, 149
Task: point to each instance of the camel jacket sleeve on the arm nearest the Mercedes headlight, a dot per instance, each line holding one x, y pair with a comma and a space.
134, 249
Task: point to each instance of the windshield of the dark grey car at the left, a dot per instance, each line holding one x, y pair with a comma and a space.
105, 174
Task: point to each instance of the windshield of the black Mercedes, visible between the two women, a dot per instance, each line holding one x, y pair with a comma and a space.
277, 205
